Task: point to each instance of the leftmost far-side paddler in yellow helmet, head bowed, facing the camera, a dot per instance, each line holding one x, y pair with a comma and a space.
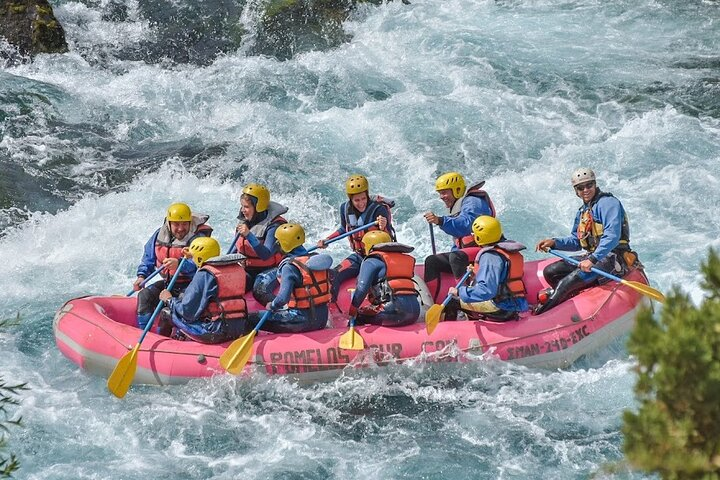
164, 248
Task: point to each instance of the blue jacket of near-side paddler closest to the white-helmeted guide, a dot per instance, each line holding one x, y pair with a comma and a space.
492, 273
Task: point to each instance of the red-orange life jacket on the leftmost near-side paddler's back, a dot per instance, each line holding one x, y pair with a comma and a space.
229, 303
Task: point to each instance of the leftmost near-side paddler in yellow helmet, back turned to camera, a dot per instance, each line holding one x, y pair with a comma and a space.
212, 309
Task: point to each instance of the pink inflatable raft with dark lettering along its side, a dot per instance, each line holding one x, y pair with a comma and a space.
95, 332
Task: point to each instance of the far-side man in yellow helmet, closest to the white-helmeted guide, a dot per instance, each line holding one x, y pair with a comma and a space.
465, 205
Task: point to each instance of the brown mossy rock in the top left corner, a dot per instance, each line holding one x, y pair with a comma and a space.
31, 27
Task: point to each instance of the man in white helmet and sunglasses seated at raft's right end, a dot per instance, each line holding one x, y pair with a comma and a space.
601, 229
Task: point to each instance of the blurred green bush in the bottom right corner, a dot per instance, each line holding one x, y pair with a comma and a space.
676, 431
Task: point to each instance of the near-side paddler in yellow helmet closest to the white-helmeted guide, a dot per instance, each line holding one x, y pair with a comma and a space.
497, 293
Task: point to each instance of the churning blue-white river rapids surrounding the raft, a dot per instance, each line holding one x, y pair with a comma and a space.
95, 143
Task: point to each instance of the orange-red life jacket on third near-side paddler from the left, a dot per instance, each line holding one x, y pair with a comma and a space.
400, 270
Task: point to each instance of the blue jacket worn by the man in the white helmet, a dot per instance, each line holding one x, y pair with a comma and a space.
610, 213
